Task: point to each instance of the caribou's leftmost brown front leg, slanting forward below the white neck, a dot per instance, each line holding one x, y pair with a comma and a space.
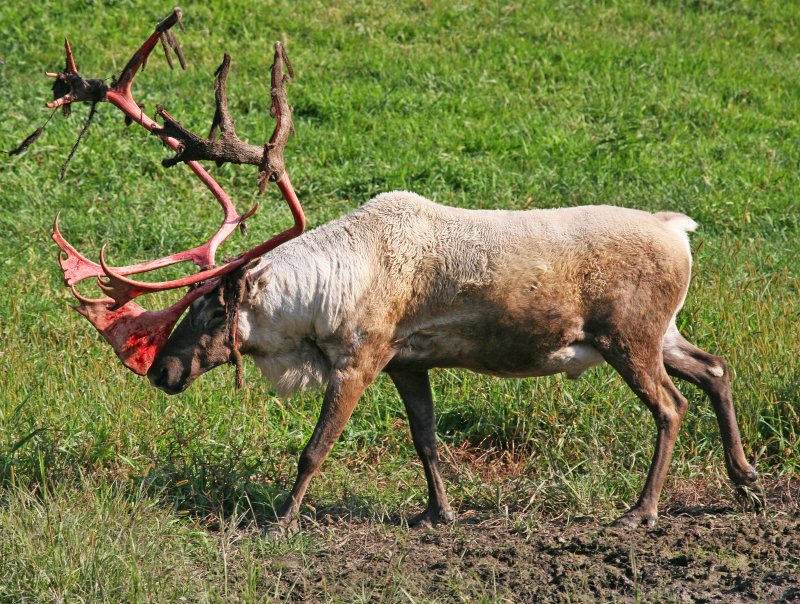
345, 387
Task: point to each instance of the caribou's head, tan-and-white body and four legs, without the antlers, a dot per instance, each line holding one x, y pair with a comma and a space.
403, 285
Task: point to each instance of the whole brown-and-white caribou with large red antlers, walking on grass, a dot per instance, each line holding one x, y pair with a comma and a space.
403, 285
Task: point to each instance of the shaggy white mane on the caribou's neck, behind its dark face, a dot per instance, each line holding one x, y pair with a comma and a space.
299, 296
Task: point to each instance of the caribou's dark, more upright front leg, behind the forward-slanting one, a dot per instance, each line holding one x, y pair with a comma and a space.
415, 390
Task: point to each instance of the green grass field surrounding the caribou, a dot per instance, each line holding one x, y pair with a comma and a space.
112, 491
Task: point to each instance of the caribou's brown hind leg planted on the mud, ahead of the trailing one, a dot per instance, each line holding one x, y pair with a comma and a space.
641, 367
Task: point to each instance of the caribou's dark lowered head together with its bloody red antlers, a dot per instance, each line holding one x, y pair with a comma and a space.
141, 338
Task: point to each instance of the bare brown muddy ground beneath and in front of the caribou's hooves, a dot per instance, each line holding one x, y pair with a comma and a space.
695, 554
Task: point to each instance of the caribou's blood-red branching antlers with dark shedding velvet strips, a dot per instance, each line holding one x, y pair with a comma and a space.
137, 334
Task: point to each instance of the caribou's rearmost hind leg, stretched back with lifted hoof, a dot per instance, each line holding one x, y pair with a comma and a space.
710, 373
